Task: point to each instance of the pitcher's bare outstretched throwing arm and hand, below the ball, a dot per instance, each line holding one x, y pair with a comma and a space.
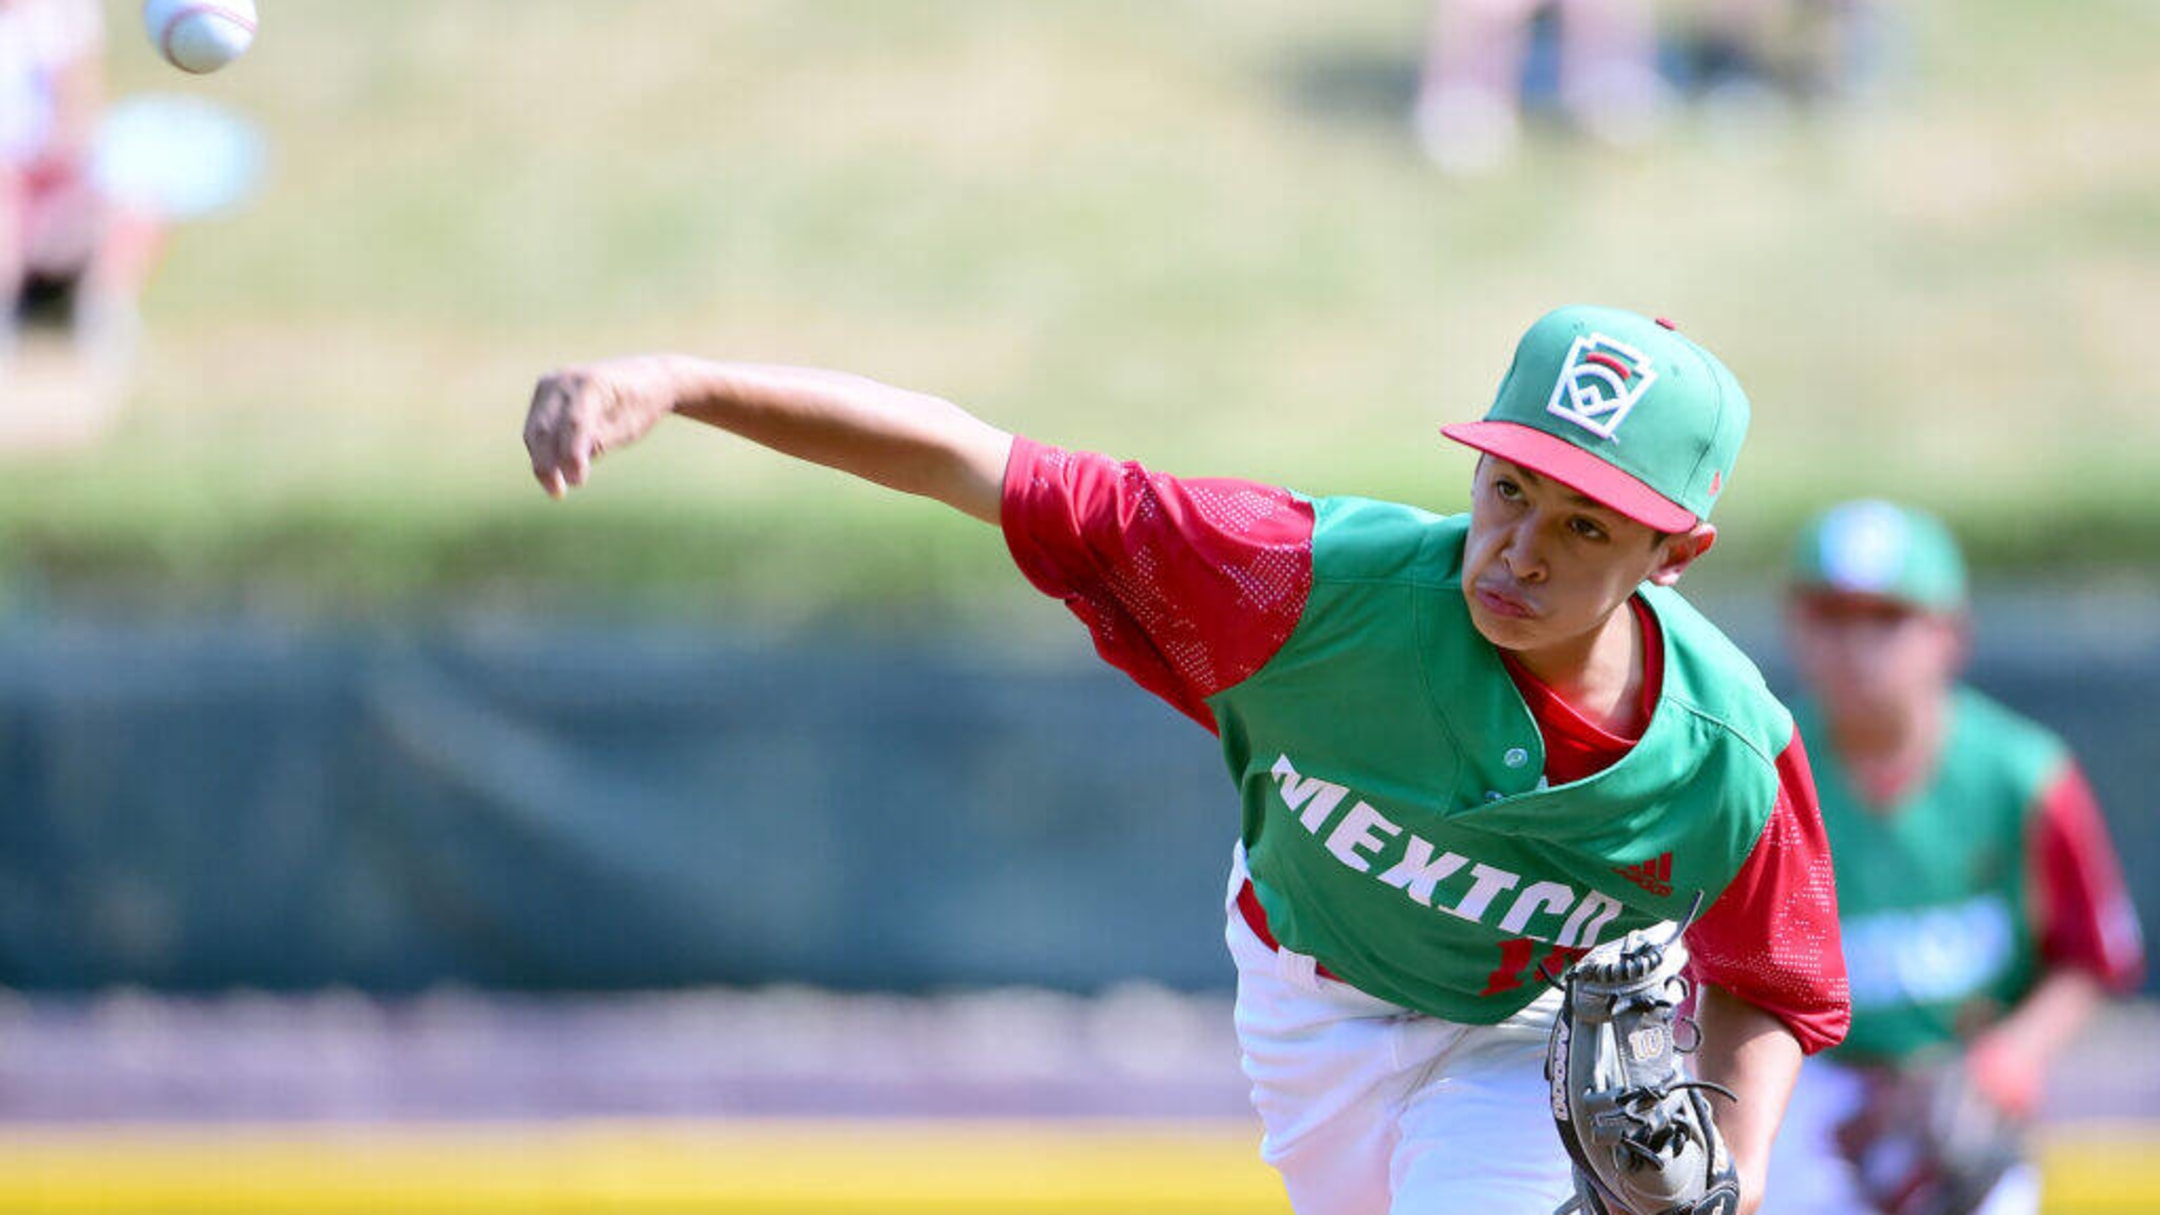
895, 438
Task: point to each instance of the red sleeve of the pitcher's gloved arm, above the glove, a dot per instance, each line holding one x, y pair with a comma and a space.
1772, 937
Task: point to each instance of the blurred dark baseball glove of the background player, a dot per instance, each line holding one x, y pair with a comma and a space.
1928, 1143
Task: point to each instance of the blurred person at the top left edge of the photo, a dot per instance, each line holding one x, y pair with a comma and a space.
68, 258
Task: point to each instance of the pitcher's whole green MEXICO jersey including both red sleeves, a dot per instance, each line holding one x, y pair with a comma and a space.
1396, 812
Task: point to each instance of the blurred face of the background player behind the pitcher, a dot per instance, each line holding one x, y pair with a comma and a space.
1867, 658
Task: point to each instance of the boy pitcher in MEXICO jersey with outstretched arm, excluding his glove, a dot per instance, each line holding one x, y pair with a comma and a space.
1468, 747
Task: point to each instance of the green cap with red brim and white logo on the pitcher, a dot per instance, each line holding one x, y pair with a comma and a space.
1619, 408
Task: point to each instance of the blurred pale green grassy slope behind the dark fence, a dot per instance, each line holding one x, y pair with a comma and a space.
1193, 232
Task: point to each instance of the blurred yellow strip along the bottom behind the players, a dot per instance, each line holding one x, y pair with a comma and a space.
768, 1166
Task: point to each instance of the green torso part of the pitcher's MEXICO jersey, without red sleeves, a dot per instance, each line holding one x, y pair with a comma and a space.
1396, 816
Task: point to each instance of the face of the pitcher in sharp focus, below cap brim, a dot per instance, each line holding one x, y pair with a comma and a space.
1545, 568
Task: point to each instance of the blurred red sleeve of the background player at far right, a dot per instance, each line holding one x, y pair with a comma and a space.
2085, 916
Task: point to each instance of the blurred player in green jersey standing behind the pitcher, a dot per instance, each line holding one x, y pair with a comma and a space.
1982, 900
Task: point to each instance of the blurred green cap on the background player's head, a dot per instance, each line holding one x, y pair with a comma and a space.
1887, 552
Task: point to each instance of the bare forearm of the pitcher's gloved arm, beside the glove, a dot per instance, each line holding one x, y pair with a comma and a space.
1755, 1056
